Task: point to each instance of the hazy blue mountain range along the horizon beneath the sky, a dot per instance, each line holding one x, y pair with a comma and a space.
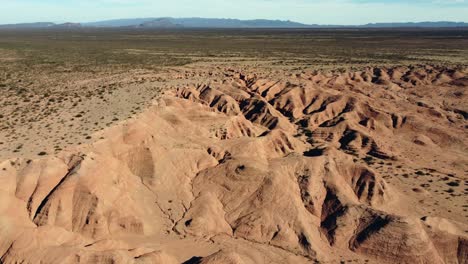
168, 22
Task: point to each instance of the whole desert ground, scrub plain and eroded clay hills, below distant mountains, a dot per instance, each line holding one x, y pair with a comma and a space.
234, 146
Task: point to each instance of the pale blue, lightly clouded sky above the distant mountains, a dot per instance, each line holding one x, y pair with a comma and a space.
344, 12
